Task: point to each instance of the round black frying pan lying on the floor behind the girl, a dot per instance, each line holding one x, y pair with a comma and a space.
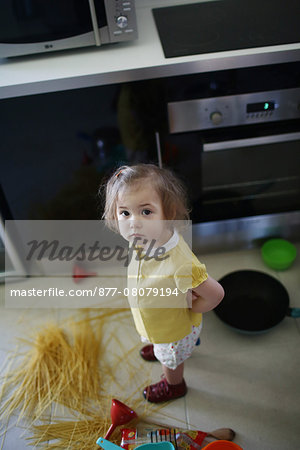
254, 302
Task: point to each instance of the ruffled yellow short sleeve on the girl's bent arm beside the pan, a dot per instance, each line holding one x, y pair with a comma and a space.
190, 275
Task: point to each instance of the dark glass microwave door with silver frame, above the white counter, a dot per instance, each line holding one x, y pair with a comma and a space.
33, 26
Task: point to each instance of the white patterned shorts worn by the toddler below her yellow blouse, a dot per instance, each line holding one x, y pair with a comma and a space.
173, 354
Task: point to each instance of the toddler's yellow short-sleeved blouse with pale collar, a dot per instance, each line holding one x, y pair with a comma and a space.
159, 316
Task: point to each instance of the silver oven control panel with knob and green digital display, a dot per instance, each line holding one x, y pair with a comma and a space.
234, 110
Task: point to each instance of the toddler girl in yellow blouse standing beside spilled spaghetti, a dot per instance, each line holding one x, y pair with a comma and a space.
142, 203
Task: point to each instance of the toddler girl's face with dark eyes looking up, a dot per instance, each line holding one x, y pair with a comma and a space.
140, 215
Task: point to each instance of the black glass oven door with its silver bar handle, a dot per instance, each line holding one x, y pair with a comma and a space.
252, 175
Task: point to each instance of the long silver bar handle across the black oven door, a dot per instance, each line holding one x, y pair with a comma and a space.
250, 142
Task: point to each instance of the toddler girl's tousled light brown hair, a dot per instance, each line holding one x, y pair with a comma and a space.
170, 189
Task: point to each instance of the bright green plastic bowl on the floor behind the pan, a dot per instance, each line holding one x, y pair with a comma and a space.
278, 254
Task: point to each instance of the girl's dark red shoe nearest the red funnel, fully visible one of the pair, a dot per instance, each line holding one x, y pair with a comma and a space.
163, 391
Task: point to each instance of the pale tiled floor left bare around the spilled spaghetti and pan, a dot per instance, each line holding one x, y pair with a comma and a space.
248, 383
